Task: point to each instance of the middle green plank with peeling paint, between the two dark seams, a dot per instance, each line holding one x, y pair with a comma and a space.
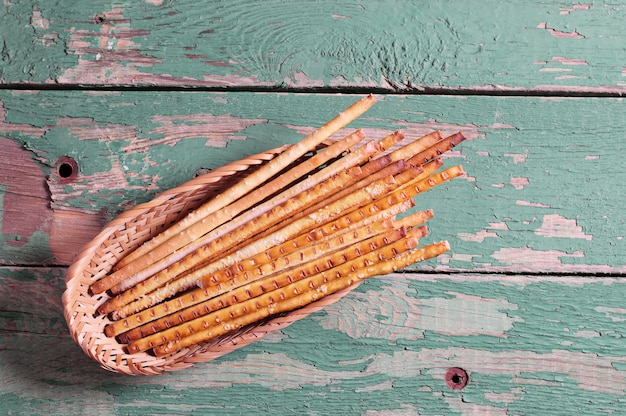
543, 192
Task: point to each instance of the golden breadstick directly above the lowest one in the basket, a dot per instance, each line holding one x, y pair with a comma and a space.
268, 296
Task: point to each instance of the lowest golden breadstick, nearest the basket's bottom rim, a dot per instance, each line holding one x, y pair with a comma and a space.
306, 292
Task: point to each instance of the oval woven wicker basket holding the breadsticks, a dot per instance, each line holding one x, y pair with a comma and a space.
127, 232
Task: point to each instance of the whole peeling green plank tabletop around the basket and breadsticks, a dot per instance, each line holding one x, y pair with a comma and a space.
105, 104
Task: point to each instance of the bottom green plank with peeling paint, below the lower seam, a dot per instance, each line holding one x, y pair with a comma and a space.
531, 345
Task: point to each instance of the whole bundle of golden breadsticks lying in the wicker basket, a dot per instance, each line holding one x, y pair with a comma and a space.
318, 218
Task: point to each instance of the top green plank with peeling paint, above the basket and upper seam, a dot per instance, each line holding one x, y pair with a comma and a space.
397, 45
